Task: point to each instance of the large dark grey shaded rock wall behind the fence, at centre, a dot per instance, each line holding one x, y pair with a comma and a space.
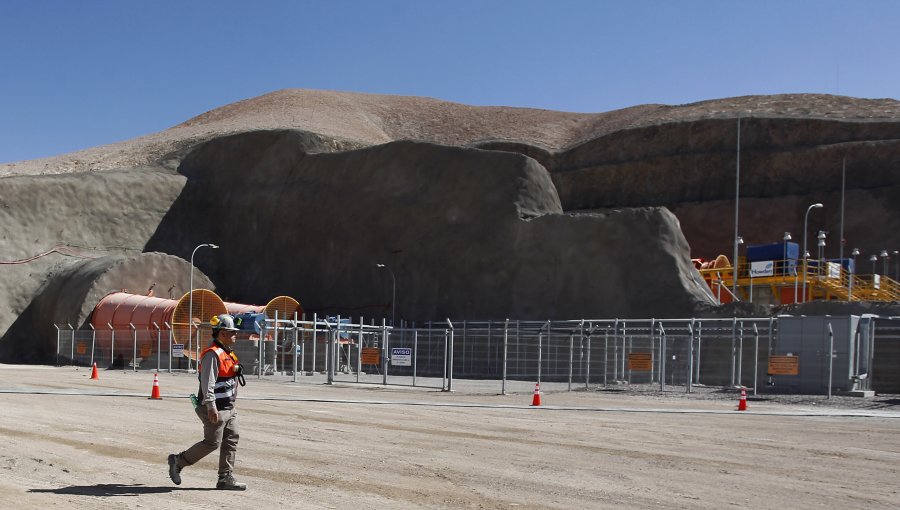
467, 233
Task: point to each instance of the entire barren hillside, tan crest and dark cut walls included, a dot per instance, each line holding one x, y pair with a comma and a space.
480, 212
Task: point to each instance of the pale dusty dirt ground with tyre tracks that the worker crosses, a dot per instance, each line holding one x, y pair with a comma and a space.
69, 441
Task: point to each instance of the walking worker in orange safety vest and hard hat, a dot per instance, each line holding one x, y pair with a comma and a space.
220, 374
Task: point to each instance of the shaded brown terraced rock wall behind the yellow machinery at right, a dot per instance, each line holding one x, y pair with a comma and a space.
786, 165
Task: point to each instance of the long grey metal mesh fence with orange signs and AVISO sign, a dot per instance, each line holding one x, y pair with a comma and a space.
675, 354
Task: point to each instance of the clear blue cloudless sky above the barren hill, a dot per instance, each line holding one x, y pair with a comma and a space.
77, 74
